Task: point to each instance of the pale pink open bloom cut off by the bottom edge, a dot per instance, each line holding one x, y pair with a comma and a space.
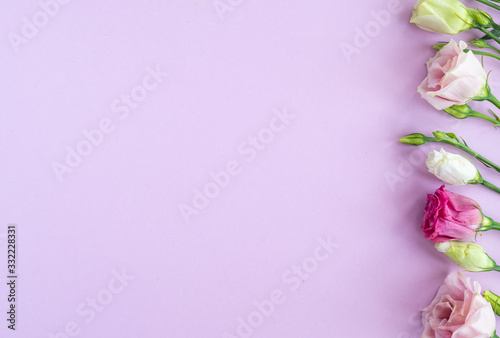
458, 311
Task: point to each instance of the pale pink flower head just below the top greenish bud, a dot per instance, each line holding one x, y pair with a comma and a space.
454, 77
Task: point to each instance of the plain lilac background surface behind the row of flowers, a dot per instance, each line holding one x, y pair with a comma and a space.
324, 175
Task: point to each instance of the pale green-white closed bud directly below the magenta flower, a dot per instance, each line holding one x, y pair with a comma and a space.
467, 255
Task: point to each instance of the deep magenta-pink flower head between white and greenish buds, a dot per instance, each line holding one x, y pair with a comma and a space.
449, 216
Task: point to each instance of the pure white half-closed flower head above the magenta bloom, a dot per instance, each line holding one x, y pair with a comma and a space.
451, 168
